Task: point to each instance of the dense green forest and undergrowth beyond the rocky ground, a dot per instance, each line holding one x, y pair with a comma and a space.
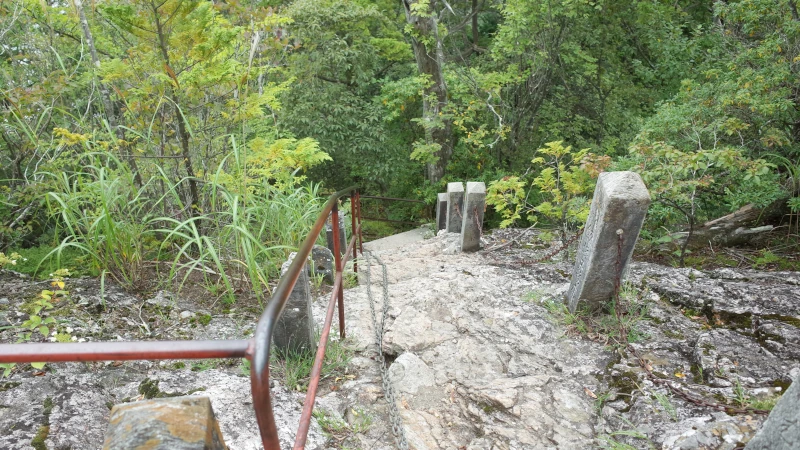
185, 135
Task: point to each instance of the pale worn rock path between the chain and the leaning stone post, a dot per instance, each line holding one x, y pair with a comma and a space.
475, 365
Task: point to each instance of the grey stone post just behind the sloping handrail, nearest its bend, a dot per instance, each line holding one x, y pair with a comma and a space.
294, 331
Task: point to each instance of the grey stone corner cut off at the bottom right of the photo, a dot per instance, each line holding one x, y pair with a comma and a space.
781, 431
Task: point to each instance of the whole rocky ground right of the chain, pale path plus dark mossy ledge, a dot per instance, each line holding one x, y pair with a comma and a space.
478, 361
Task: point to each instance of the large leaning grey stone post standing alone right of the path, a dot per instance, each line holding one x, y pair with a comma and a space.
618, 208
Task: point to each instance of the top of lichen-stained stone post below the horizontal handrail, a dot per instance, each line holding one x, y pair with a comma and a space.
176, 423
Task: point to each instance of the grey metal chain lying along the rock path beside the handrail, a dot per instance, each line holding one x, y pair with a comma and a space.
388, 389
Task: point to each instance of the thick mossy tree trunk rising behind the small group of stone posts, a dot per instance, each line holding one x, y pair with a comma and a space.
429, 54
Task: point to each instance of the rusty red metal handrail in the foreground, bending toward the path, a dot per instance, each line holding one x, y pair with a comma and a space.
257, 349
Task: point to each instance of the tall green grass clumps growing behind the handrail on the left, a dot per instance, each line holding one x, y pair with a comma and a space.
238, 239
